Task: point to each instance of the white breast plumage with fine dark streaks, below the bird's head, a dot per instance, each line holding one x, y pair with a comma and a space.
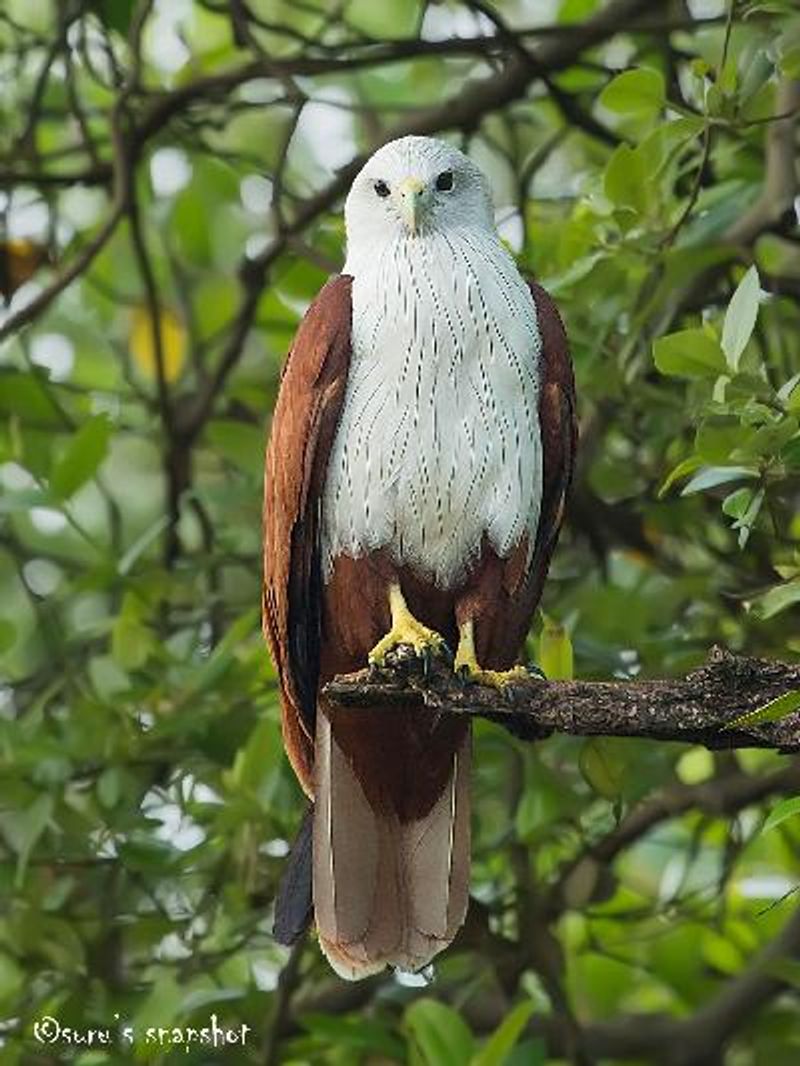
439, 440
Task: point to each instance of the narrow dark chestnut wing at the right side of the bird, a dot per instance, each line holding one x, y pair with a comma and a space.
559, 428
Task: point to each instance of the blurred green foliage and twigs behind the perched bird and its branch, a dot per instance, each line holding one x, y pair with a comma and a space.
171, 183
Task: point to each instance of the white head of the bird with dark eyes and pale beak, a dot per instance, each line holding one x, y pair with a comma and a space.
410, 189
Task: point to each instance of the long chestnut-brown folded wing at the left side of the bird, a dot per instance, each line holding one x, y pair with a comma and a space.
303, 427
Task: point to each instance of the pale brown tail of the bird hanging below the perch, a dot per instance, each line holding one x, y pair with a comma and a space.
391, 883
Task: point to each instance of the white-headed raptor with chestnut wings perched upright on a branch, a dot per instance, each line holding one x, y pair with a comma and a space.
419, 463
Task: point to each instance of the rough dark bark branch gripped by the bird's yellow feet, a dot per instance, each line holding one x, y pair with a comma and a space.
697, 709
